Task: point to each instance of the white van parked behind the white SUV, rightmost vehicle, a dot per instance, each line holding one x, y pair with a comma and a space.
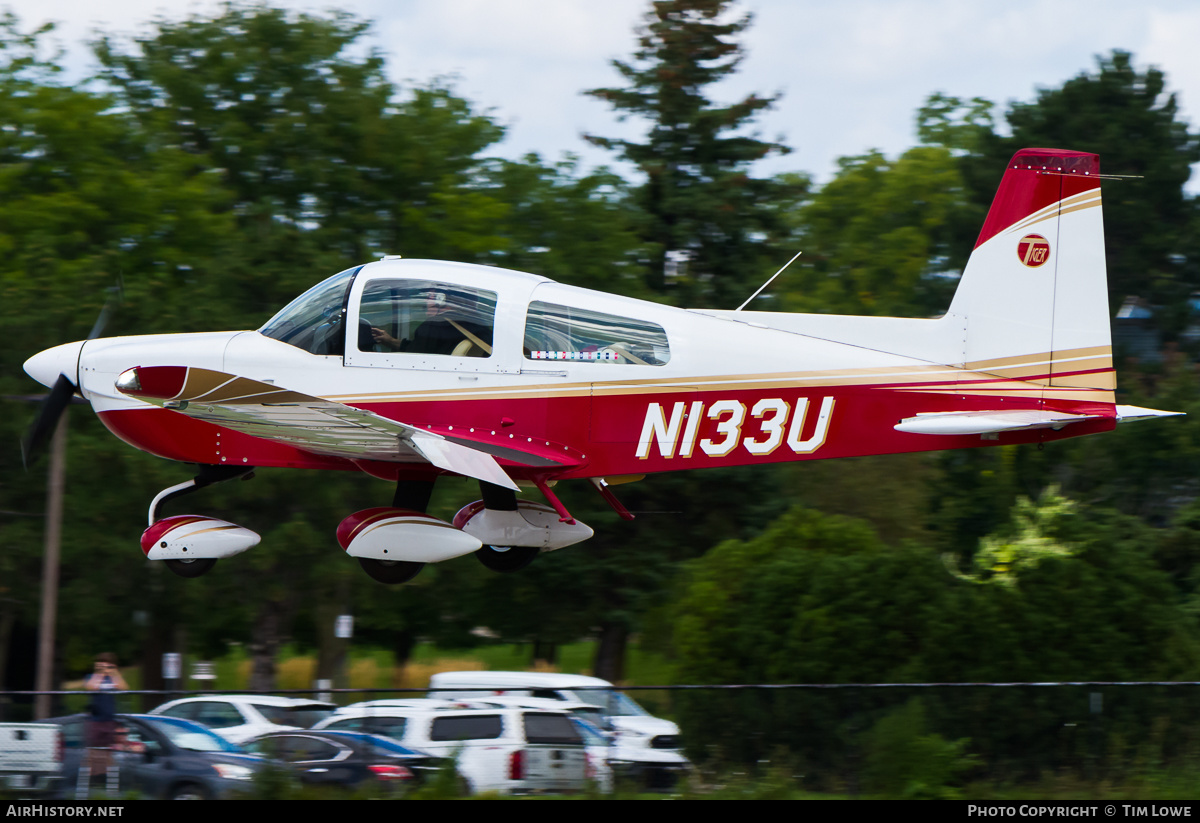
626, 719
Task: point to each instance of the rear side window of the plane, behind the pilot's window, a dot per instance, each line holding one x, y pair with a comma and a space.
563, 333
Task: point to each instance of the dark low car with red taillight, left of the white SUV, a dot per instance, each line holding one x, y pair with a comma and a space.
347, 760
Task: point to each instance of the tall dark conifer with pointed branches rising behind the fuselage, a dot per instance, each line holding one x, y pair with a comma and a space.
699, 200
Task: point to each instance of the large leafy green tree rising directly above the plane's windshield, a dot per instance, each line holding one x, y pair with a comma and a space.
328, 165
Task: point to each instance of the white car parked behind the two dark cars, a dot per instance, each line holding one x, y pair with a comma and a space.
239, 718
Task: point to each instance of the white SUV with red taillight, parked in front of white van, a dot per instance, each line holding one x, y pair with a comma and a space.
506, 750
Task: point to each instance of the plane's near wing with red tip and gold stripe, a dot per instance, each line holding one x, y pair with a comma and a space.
316, 425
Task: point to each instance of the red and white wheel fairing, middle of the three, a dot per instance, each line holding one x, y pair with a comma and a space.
400, 534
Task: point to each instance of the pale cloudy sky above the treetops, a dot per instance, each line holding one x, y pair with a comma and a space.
853, 74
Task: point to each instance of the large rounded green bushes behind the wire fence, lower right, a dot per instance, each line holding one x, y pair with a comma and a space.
820, 600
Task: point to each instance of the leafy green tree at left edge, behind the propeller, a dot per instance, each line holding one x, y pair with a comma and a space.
86, 205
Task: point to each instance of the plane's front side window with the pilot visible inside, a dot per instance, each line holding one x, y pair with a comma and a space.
427, 317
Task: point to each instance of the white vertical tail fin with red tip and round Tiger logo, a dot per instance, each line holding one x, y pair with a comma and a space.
1034, 298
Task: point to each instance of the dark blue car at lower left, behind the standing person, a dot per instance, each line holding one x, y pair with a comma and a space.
160, 758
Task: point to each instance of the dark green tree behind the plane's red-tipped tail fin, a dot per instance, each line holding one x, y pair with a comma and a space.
1130, 119
